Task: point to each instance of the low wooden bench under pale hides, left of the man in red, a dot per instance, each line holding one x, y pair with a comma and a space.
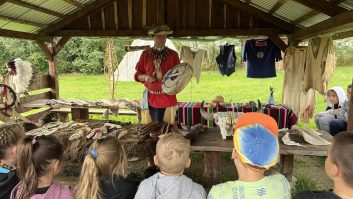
82, 113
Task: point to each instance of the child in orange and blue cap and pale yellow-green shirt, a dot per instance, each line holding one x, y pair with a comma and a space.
256, 149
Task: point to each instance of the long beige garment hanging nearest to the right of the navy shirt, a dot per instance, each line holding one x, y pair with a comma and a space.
301, 102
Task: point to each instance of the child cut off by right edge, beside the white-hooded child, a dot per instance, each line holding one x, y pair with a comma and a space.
340, 124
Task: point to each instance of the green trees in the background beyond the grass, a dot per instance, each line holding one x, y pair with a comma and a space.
85, 55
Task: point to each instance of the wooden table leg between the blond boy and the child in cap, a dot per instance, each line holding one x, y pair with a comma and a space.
211, 168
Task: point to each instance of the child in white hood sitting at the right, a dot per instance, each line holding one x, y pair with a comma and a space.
334, 98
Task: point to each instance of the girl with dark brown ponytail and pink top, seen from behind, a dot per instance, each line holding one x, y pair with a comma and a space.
38, 162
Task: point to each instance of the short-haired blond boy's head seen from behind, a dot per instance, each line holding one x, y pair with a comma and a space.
172, 153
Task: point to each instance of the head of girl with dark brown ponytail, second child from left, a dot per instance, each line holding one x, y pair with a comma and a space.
34, 157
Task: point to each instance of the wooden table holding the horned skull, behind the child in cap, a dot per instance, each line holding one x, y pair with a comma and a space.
212, 145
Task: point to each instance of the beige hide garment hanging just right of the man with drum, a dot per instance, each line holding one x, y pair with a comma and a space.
195, 57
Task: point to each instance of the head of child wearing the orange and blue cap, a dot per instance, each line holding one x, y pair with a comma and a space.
256, 140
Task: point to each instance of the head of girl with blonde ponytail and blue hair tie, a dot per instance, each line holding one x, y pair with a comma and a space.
106, 158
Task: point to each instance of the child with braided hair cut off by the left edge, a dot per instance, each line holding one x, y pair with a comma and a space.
10, 135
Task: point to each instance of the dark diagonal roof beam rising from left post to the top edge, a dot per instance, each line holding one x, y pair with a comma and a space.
68, 19
